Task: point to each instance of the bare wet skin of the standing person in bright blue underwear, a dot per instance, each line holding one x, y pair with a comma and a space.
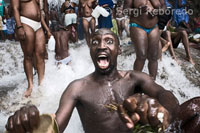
146, 45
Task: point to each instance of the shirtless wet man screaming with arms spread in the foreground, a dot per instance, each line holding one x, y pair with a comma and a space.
94, 94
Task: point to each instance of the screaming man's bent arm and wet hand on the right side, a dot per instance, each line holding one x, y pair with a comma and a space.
152, 105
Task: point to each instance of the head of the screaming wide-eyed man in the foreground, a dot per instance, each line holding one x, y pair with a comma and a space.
104, 49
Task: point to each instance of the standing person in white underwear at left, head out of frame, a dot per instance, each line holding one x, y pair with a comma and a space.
29, 22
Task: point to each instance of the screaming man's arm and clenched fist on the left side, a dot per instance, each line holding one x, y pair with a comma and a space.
27, 118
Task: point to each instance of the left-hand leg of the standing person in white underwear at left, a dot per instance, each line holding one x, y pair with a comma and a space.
28, 47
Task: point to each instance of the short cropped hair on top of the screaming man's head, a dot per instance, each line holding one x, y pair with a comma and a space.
104, 31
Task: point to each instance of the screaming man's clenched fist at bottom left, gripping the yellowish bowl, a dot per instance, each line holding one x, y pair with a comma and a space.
23, 120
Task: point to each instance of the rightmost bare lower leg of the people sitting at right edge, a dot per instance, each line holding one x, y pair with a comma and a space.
185, 41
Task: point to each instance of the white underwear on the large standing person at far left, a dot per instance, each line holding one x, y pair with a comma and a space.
33, 24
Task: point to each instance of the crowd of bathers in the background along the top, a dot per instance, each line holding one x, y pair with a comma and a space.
88, 16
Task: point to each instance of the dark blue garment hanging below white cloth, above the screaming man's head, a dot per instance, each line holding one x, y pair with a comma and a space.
105, 22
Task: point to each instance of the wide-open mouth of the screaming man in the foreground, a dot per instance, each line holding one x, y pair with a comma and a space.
103, 61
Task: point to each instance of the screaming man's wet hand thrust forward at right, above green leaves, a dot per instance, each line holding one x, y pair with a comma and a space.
142, 108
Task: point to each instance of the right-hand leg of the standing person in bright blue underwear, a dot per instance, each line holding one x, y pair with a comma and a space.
153, 50
